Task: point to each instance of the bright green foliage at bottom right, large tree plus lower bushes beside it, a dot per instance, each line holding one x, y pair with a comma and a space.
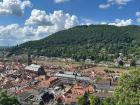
127, 92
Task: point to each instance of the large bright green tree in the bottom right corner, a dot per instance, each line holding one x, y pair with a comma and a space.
127, 91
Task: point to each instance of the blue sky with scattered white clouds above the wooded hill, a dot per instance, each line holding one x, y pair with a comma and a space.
25, 20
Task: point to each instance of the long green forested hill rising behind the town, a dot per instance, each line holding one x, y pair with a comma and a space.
97, 42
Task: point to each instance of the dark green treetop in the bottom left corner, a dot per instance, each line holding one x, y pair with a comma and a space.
6, 99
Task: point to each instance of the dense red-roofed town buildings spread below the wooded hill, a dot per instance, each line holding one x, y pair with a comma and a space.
35, 84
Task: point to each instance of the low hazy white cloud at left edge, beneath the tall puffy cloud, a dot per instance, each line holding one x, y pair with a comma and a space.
14, 34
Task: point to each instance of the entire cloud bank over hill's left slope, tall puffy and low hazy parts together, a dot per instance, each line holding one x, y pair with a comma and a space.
15, 34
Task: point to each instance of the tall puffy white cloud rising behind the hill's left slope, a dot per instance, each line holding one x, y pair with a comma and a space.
53, 22
